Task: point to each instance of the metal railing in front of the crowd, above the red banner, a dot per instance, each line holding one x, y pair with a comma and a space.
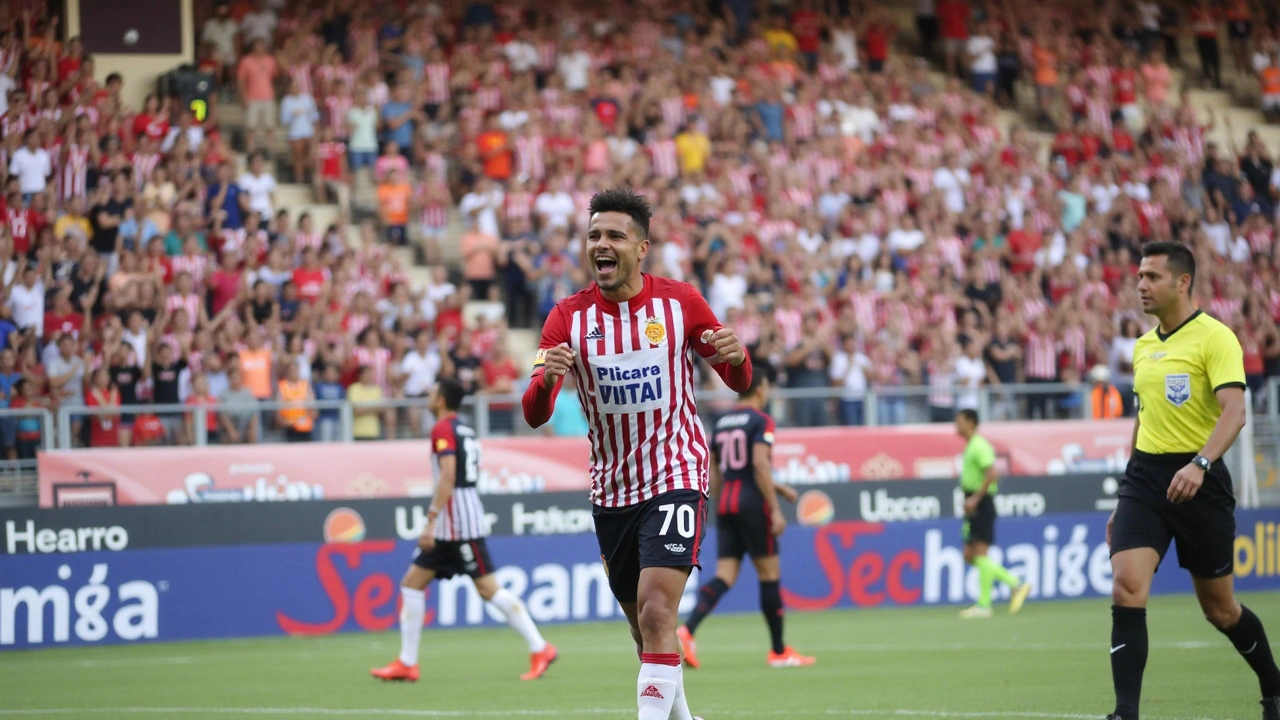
1255, 459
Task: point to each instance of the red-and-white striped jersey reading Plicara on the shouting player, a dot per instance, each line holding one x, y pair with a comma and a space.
636, 376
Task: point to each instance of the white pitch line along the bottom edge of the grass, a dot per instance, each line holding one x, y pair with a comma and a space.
584, 712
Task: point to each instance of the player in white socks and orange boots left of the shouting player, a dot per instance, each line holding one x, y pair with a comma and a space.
454, 543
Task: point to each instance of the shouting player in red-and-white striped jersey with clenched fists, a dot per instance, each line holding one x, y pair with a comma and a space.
628, 340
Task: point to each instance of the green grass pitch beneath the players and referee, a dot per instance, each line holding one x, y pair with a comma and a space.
1049, 663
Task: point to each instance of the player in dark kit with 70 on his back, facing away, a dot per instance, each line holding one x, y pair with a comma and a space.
748, 518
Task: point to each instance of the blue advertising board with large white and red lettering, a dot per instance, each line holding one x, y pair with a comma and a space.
312, 589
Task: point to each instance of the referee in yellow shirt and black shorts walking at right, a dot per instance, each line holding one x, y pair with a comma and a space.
1190, 381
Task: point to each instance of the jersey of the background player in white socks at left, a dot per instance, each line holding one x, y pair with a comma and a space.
463, 517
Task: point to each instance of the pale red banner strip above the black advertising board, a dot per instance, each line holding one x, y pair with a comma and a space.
404, 470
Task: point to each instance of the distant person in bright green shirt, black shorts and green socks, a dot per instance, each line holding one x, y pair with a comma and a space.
979, 482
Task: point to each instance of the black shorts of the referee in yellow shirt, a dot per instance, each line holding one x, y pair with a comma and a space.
1204, 527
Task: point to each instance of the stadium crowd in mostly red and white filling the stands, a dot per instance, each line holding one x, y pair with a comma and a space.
860, 222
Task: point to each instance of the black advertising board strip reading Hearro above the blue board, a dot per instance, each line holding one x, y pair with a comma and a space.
139, 527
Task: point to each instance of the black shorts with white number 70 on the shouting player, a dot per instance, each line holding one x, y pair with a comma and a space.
662, 532
